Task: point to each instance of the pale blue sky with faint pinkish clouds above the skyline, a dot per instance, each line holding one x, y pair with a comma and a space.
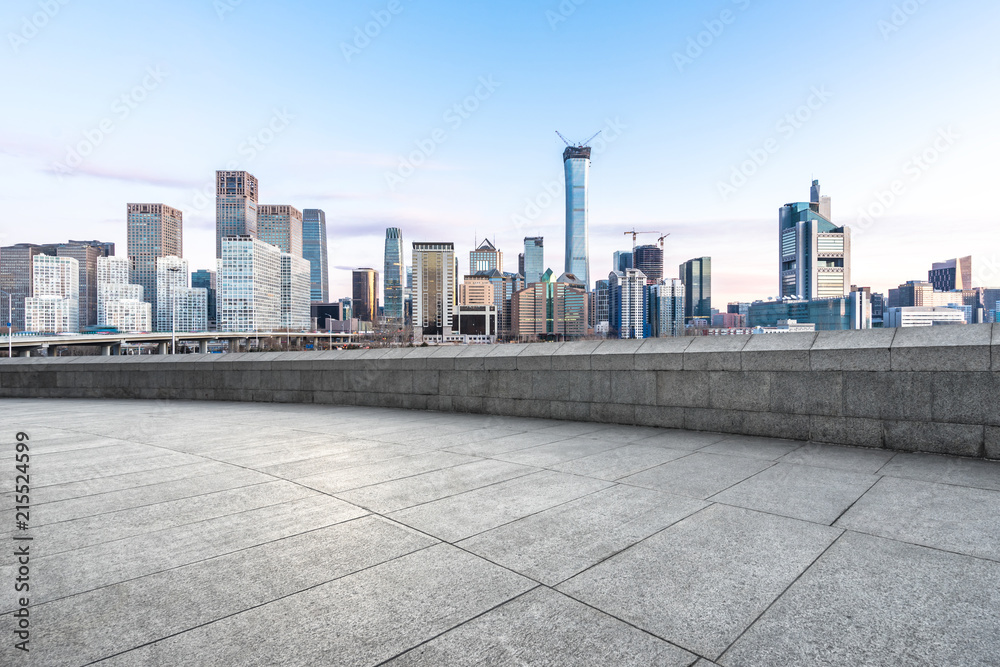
441, 118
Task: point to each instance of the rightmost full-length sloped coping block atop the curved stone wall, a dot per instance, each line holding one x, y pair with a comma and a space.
955, 348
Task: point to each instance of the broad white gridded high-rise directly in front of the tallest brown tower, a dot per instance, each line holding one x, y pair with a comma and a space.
249, 285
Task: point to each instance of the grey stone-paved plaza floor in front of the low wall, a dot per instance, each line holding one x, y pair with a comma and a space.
202, 533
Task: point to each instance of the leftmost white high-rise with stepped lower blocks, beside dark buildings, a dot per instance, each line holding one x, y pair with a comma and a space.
54, 306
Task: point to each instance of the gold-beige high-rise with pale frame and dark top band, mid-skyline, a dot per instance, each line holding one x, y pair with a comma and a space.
433, 290
